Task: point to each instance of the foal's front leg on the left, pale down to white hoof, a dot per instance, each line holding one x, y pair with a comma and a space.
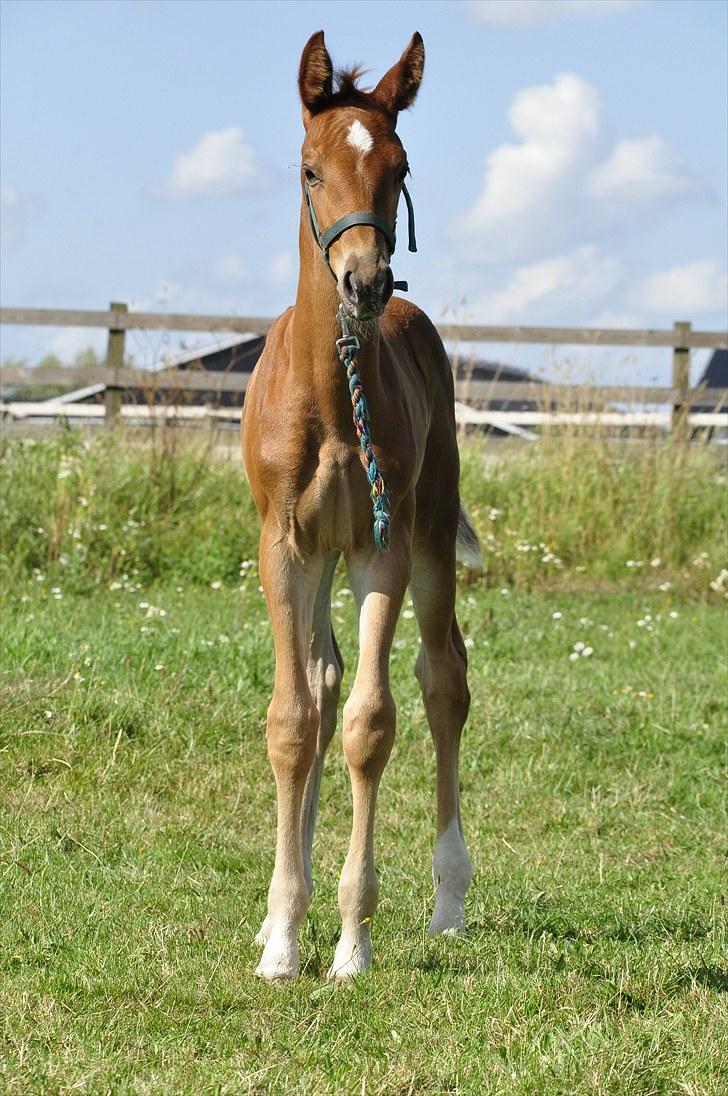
290, 588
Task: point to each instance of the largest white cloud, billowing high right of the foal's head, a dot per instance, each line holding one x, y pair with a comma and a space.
556, 187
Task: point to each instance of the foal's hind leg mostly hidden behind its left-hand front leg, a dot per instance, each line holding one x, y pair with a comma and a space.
324, 672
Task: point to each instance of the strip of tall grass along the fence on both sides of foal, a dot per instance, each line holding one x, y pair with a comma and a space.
120, 508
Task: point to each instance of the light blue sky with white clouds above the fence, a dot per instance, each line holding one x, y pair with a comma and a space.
570, 161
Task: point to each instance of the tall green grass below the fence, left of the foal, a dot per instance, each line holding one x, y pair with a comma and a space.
117, 508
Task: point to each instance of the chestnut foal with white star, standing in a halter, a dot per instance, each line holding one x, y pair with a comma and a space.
316, 484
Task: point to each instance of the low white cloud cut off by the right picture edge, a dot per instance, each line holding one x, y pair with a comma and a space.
693, 289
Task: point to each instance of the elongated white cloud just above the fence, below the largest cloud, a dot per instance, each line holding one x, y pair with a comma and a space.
564, 282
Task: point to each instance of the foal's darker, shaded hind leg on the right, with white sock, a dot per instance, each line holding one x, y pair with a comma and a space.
441, 671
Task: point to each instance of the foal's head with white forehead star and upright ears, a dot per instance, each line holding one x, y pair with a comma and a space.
352, 161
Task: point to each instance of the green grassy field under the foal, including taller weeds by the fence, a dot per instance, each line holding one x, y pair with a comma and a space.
136, 834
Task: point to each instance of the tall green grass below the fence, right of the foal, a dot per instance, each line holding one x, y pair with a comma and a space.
601, 508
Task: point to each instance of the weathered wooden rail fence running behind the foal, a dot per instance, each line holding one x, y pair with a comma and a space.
116, 378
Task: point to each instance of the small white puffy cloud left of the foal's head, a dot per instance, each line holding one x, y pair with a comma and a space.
221, 164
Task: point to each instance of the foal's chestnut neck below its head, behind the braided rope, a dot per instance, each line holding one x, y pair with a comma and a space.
315, 330
